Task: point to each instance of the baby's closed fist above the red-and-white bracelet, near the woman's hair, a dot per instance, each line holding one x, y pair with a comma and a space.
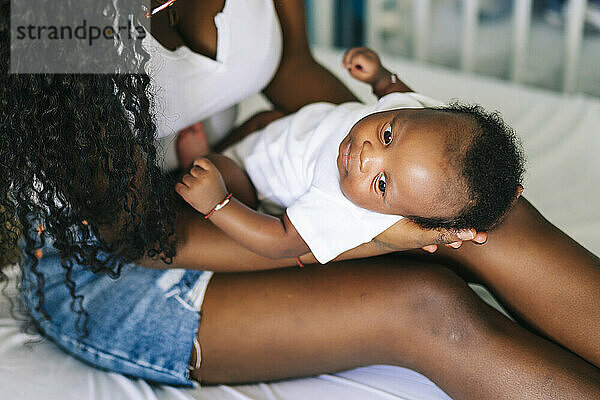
203, 186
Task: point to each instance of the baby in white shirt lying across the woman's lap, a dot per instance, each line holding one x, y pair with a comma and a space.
346, 173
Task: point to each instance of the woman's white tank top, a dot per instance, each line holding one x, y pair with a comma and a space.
189, 87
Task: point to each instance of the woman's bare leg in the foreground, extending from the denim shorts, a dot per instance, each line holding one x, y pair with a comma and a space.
294, 322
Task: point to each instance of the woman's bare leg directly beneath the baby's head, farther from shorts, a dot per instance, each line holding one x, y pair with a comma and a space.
544, 277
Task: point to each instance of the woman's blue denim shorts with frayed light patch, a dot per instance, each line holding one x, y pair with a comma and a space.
142, 324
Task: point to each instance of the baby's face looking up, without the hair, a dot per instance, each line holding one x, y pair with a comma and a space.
395, 162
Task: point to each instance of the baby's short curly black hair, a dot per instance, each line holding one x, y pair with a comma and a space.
491, 167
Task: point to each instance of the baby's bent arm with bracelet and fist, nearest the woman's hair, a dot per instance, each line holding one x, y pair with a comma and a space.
203, 188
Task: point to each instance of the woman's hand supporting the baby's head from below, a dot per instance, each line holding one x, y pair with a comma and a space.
406, 235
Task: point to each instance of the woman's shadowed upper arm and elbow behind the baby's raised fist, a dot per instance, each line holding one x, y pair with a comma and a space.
300, 80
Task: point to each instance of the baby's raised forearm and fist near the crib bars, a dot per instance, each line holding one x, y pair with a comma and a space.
364, 65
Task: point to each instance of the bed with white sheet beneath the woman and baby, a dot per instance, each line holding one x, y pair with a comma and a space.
561, 136
